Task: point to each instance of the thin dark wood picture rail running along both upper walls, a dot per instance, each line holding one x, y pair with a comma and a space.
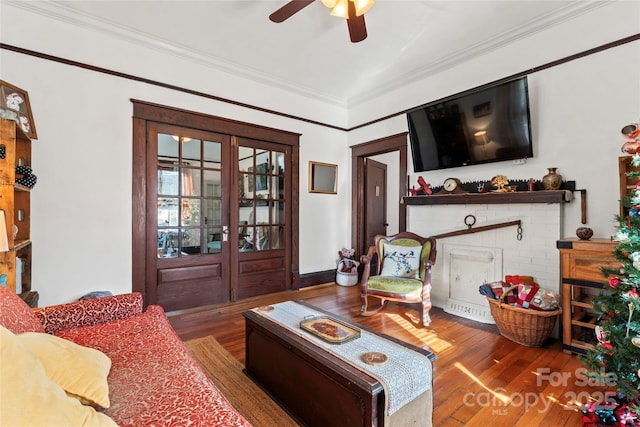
592, 51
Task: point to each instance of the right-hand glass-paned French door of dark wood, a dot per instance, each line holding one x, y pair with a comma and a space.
261, 208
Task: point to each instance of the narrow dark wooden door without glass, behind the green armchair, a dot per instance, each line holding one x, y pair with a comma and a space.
375, 200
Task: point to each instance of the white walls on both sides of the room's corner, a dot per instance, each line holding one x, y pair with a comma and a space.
81, 206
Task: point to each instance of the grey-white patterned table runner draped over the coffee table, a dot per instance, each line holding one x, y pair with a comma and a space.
405, 375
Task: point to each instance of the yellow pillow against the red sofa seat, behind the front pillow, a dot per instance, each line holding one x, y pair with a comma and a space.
81, 371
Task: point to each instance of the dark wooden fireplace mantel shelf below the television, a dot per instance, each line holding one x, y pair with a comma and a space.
544, 196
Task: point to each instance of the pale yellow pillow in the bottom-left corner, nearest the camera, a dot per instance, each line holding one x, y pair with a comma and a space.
29, 397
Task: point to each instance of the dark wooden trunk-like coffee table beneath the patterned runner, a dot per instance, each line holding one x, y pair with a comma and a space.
317, 387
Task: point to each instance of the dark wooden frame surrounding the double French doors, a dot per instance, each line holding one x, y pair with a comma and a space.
144, 112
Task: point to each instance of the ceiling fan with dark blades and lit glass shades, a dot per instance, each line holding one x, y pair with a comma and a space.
351, 10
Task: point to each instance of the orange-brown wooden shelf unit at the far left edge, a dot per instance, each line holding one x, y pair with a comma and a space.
15, 202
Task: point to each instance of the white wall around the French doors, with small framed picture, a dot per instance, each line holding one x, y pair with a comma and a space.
81, 205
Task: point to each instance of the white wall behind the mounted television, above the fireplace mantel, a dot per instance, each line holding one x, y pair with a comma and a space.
578, 108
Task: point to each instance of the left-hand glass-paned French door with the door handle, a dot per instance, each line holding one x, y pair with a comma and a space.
188, 217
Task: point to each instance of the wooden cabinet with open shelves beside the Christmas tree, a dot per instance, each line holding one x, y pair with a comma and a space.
582, 279
